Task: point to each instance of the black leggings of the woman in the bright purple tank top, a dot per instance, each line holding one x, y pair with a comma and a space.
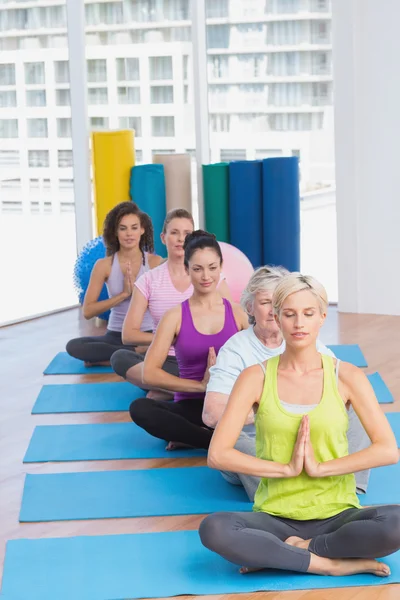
172, 421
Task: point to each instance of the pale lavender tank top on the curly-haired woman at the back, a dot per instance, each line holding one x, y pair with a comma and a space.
115, 285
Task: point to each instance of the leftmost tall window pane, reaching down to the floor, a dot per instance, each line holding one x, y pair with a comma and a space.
34, 200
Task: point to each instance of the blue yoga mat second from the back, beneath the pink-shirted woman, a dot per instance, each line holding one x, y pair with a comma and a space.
86, 397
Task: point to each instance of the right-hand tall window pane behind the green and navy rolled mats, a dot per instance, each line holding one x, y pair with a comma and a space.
270, 93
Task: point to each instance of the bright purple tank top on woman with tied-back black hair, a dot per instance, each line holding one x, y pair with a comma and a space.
191, 346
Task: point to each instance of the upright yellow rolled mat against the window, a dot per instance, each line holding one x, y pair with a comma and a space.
113, 156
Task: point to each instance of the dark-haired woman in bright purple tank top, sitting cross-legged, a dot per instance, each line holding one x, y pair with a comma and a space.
197, 329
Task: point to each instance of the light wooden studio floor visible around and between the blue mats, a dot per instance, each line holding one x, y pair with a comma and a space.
27, 348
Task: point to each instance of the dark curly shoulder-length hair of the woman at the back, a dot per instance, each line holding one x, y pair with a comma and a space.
112, 221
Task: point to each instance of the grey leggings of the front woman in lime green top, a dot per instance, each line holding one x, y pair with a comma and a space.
258, 539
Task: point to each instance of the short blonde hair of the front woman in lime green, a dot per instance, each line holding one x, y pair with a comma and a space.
296, 282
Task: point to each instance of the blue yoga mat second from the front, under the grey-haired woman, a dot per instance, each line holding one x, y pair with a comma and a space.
157, 492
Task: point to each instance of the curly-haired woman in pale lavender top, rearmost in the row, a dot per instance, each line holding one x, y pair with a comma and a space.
129, 240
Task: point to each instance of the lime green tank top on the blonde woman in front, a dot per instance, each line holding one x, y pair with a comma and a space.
303, 498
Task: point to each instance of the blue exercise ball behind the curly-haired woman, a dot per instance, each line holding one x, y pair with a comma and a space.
84, 264
